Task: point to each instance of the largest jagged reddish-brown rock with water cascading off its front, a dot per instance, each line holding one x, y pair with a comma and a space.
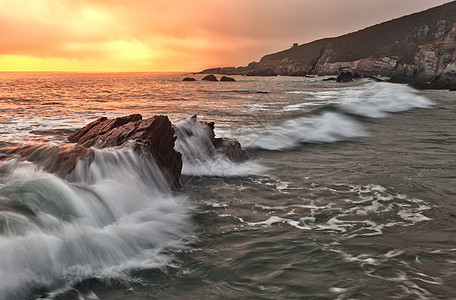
153, 136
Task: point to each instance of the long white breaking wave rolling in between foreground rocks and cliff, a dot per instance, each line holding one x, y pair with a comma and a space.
334, 121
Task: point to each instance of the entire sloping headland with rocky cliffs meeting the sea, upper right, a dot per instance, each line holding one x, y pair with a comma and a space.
418, 49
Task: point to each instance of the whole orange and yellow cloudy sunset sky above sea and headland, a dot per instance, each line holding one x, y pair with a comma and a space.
172, 35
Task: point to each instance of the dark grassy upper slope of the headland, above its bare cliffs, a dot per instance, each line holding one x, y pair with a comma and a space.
399, 37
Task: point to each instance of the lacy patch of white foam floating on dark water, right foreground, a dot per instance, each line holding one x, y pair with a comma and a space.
361, 216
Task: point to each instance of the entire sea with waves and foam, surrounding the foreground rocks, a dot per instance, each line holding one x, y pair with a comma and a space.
349, 192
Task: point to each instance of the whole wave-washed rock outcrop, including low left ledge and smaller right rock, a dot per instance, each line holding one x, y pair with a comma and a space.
153, 138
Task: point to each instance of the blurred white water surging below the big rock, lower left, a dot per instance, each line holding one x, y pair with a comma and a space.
115, 216
